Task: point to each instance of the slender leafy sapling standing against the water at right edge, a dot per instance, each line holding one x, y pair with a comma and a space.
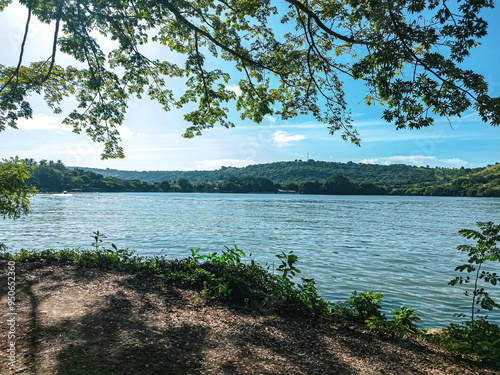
485, 250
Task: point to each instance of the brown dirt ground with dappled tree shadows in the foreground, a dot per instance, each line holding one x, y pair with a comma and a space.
87, 321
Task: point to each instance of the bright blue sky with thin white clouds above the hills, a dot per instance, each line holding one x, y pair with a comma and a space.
152, 138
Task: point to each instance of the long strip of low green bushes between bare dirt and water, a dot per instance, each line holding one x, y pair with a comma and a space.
227, 278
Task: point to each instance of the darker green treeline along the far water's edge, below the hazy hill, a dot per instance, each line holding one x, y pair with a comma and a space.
50, 176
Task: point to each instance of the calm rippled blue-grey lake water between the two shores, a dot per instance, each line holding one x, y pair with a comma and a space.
404, 247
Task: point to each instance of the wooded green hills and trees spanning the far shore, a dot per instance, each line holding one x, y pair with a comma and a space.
304, 177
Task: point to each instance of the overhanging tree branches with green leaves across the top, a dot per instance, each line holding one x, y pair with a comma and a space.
289, 59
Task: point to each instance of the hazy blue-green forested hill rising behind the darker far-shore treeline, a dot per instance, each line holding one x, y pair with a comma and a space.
390, 176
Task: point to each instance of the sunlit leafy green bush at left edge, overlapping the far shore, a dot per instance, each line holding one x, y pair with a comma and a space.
14, 192
